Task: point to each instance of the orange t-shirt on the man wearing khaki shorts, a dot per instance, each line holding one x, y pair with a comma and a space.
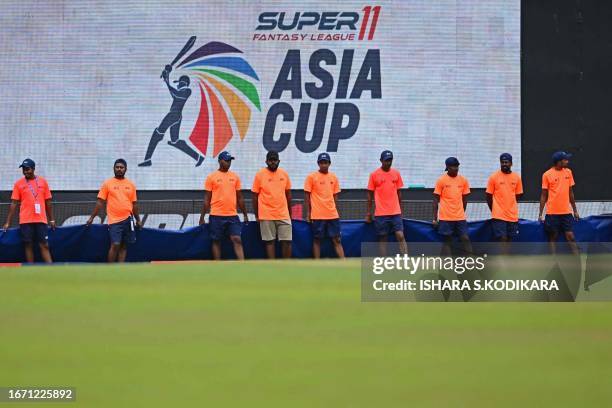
271, 187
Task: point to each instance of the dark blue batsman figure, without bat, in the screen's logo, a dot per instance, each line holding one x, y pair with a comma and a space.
172, 121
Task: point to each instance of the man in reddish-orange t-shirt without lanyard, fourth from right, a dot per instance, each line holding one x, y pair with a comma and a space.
384, 188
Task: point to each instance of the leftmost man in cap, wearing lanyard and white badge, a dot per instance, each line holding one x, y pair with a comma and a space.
31, 193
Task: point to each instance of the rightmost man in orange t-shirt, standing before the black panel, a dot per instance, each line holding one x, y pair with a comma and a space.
558, 196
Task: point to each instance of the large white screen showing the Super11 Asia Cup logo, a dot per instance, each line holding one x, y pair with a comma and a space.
170, 86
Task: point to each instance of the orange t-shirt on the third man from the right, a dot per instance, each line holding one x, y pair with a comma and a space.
451, 191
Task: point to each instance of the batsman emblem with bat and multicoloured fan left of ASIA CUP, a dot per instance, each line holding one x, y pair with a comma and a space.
227, 98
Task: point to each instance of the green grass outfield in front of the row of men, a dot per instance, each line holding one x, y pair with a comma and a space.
288, 334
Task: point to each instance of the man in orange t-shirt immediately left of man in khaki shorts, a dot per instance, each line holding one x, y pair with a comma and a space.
221, 194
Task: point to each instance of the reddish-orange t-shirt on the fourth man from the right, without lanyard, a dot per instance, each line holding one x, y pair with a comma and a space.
385, 184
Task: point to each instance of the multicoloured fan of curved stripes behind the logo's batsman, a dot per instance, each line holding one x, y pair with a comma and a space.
222, 74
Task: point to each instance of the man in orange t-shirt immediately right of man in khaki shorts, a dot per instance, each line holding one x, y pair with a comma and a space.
321, 189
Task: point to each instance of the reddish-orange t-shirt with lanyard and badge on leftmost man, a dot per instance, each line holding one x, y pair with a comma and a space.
30, 192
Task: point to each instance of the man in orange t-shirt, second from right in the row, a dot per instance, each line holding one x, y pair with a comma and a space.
503, 190
